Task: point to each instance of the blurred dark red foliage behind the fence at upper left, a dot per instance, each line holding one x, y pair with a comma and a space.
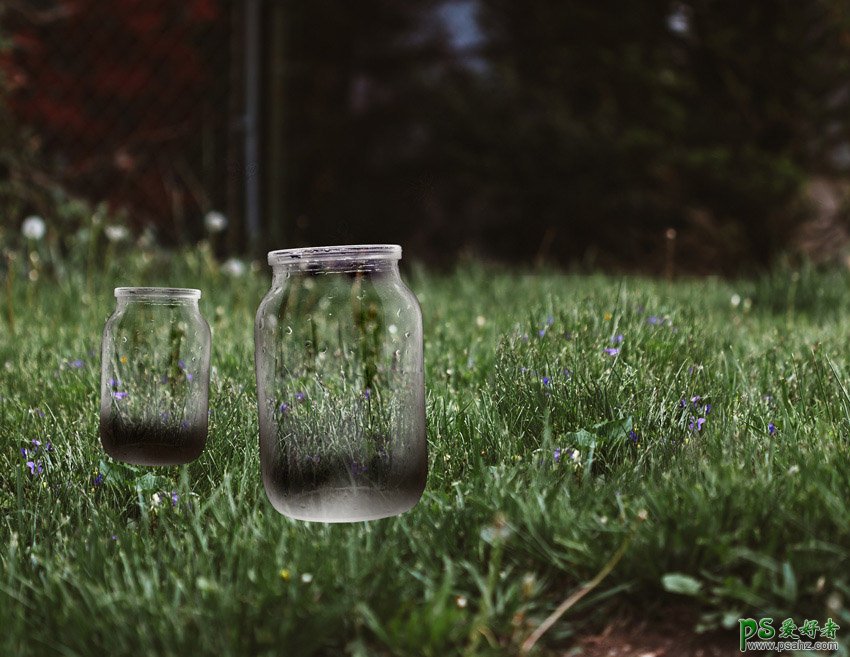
115, 87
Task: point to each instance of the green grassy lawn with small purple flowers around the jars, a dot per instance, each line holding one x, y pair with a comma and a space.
572, 421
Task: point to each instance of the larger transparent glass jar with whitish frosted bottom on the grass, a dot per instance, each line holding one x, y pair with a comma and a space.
340, 385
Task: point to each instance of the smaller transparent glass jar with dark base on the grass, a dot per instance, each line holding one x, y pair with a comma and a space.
155, 372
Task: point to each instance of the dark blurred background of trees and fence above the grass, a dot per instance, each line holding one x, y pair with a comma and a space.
650, 136
